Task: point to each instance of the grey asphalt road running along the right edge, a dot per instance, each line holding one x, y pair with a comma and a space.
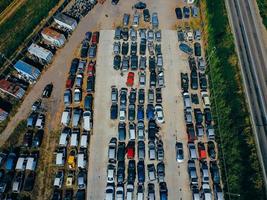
252, 56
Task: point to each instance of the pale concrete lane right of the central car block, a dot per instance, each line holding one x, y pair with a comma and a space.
174, 128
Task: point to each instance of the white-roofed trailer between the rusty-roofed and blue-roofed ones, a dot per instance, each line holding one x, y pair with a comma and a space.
40, 52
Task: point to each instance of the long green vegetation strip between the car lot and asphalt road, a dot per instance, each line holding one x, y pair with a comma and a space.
241, 171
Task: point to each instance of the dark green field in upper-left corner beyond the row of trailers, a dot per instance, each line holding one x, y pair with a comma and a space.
22, 23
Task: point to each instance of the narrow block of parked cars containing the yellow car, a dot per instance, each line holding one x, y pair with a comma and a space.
72, 151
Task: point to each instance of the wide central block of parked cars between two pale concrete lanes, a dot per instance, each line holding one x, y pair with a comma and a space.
131, 135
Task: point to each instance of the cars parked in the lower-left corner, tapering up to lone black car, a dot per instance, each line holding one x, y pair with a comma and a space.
18, 166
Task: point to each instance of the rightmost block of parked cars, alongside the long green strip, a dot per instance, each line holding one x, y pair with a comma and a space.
203, 153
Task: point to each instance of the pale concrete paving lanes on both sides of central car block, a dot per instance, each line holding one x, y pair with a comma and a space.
104, 128
